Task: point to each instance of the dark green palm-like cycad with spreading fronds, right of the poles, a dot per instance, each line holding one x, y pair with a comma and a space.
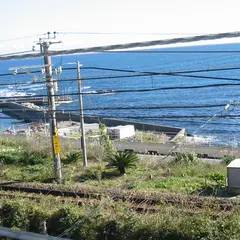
122, 160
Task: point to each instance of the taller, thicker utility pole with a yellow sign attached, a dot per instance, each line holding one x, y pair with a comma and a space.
52, 112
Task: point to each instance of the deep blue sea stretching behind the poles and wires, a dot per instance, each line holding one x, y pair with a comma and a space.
219, 130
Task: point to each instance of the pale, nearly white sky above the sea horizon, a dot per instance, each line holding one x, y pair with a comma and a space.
25, 21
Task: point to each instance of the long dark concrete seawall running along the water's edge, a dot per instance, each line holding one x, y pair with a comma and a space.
28, 114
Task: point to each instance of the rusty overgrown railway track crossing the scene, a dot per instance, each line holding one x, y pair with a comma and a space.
138, 202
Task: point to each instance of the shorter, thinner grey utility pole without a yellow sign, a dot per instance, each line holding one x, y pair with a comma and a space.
83, 143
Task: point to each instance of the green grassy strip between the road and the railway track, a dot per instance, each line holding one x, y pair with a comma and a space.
184, 174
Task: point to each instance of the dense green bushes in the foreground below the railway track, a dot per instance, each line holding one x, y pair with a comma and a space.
111, 220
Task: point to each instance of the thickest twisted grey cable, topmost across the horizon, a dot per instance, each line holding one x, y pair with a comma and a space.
132, 45
